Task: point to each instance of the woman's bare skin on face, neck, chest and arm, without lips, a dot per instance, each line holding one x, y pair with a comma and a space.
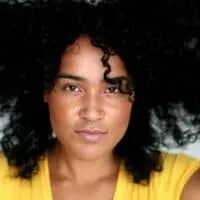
81, 168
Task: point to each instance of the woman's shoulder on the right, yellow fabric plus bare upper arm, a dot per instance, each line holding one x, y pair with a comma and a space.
178, 177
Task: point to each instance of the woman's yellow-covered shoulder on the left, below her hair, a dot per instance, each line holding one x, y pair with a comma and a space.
12, 187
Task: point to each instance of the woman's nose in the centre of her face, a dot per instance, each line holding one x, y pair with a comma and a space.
92, 108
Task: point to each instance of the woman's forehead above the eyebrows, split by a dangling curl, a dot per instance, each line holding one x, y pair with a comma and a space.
83, 59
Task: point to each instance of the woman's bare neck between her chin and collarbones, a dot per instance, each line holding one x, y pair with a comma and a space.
65, 167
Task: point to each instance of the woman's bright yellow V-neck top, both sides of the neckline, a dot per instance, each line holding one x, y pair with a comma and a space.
165, 185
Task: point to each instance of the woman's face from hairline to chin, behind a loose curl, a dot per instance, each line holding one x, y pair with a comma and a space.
88, 115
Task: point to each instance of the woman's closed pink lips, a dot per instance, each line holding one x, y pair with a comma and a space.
91, 135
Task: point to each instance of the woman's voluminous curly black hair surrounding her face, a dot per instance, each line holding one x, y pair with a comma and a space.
159, 43
